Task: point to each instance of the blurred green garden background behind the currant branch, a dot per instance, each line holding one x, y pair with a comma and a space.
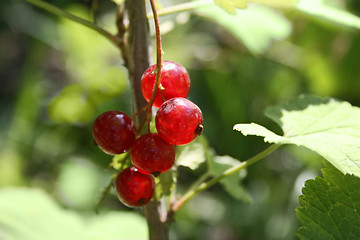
57, 76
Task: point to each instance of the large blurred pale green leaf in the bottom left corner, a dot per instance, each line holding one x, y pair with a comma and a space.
32, 214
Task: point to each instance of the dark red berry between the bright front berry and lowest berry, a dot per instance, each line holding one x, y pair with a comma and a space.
151, 154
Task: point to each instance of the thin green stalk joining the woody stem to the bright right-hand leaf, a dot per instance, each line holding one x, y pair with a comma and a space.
192, 193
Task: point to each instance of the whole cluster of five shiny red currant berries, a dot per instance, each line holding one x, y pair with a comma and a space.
178, 121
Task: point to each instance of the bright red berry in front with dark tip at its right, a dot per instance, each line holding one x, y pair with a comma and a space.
178, 121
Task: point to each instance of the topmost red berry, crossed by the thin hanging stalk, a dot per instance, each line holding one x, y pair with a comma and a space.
175, 82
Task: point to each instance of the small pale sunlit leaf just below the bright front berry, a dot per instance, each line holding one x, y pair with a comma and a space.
190, 155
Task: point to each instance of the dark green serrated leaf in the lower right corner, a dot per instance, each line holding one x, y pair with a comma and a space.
330, 207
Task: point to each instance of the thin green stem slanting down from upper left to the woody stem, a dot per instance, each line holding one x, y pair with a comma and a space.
59, 12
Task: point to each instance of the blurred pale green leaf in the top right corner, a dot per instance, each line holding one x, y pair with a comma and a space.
320, 9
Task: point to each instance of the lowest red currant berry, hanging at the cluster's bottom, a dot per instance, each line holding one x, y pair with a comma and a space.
134, 188
